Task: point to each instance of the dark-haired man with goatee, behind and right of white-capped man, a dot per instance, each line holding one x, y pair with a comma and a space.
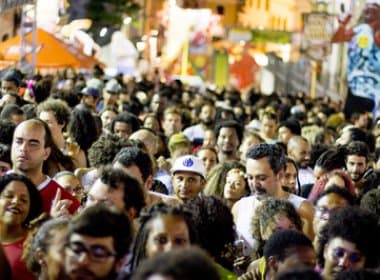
228, 134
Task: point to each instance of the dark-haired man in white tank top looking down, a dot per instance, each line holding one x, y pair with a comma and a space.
265, 168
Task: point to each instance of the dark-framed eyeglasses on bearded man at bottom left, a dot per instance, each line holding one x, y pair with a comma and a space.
97, 253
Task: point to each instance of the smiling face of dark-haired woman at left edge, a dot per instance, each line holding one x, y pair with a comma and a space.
14, 203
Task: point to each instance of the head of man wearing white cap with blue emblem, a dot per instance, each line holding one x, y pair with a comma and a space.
188, 177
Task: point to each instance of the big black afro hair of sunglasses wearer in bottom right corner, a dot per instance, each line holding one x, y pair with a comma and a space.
357, 226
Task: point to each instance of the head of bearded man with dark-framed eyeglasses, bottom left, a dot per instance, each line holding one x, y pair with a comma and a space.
97, 241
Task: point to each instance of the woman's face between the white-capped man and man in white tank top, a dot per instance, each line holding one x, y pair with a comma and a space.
235, 187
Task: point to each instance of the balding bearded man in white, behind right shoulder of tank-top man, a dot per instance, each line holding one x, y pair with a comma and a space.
299, 150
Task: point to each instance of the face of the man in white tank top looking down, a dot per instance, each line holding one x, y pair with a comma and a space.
262, 181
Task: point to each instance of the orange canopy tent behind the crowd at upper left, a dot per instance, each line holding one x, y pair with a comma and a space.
52, 53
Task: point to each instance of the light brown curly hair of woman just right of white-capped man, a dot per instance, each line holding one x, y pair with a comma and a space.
216, 179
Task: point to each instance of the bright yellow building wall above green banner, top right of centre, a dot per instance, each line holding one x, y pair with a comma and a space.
282, 15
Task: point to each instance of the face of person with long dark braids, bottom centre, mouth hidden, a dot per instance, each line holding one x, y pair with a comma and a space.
166, 233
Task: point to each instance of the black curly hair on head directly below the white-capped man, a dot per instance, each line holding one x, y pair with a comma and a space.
214, 224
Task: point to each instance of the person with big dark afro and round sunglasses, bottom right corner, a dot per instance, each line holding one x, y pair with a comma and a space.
349, 241
